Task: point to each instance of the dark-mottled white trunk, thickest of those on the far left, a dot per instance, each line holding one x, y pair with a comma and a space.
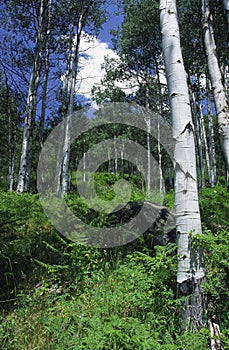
26, 154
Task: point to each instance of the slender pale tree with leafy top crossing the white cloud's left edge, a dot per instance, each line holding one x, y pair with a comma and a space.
84, 14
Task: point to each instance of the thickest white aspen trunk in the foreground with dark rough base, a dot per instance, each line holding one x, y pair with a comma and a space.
190, 263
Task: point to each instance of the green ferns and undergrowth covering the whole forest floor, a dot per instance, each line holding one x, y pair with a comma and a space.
57, 294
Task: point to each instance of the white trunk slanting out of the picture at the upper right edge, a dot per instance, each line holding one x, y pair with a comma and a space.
215, 75
